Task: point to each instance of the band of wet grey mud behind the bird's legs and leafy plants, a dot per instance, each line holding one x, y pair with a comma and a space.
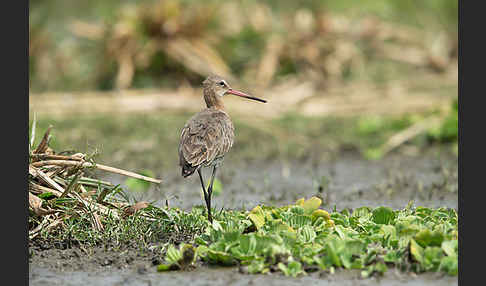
429, 180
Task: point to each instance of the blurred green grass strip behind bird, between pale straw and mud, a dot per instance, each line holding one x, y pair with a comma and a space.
150, 141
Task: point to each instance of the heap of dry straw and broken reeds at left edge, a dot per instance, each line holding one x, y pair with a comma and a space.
59, 188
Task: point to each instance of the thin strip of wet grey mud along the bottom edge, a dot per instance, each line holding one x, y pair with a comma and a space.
230, 276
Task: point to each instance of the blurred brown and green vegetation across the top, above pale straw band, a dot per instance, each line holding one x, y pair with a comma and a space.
103, 45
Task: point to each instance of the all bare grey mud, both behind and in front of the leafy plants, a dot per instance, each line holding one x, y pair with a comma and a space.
429, 179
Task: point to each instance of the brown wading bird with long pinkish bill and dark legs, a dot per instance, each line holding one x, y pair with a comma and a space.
208, 135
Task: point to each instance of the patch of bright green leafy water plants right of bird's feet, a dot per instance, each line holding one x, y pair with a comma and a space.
298, 238
